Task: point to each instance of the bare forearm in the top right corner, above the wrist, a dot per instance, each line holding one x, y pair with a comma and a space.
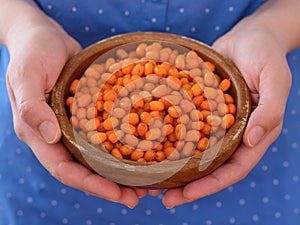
282, 18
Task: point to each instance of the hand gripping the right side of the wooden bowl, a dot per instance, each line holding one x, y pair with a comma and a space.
262, 61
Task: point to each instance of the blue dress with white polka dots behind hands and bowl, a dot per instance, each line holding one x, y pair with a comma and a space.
269, 195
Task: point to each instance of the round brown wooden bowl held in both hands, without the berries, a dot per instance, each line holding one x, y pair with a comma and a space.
166, 174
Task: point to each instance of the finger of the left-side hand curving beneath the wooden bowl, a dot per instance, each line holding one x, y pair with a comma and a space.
57, 160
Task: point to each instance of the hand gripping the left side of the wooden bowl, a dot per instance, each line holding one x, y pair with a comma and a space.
38, 50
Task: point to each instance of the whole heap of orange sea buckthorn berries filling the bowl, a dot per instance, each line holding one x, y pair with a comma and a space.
152, 104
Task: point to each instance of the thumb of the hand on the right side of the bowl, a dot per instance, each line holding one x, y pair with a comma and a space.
269, 113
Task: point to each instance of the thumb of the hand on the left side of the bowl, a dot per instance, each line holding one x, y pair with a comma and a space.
27, 93
